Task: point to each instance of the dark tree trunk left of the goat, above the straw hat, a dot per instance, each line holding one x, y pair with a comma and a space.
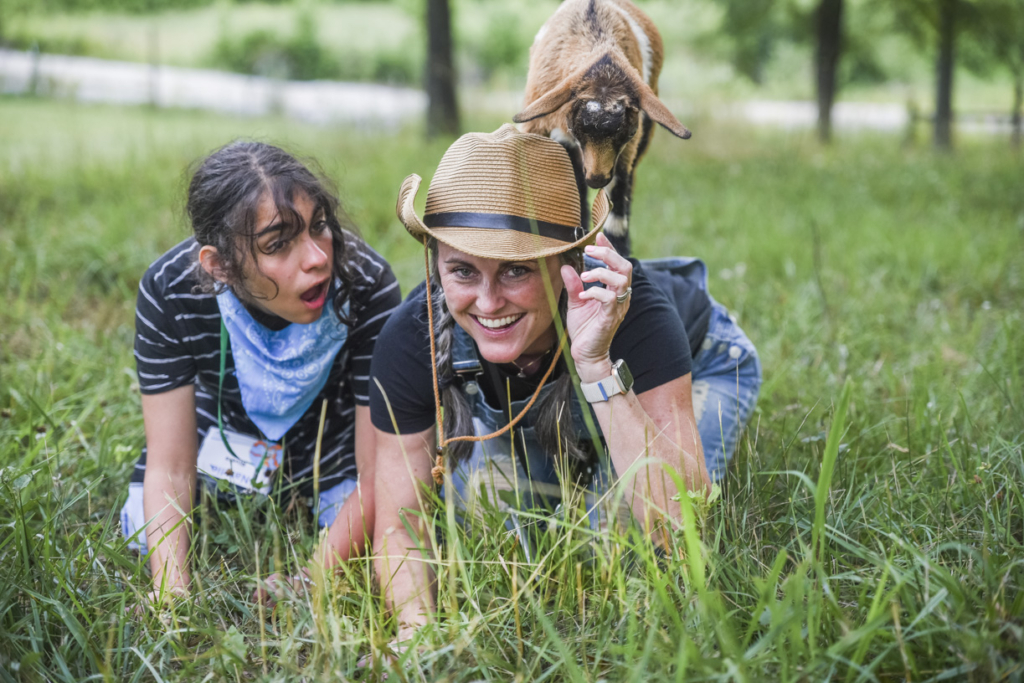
443, 111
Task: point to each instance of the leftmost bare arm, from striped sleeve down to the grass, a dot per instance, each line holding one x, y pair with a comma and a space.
169, 484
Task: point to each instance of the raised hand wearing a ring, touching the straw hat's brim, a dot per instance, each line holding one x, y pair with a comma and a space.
594, 315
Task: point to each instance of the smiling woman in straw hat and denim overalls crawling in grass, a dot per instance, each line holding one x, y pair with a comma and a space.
472, 380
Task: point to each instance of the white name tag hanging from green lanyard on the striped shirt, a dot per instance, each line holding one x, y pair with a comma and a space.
250, 472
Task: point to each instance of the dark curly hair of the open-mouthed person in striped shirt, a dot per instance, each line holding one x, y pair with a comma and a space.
224, 198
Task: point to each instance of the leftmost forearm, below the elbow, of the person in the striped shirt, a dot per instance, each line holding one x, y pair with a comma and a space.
165, 497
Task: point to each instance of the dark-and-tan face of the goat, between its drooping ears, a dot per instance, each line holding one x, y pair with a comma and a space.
603, 127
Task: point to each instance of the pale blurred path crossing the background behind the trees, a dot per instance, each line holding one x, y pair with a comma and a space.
364, 105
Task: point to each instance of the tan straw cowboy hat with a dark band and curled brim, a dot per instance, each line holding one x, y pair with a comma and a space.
505, 195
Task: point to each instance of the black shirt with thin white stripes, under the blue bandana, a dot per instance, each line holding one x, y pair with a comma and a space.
178, 344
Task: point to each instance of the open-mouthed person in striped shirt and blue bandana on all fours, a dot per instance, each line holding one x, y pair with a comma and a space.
253, 339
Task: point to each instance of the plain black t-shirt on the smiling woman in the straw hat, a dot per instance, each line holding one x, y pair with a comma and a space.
653, 340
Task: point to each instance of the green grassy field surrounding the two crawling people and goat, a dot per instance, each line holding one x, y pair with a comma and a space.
882, 541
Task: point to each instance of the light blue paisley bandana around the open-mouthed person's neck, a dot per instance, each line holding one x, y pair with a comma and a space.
281, 372
